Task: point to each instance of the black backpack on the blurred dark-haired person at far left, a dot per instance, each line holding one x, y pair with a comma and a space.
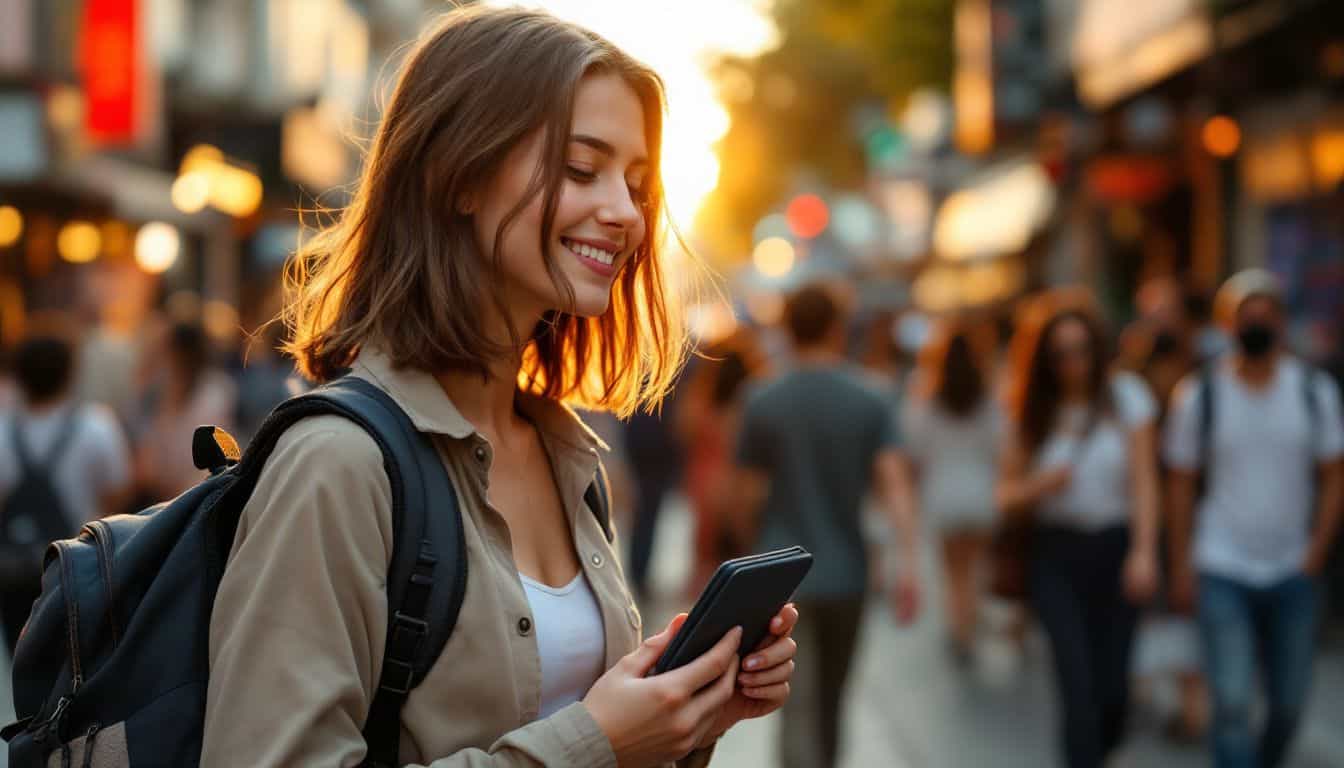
33, 513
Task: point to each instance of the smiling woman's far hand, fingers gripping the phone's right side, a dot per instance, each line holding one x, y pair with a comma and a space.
764, 681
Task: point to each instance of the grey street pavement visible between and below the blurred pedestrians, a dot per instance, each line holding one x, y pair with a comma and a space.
911, 707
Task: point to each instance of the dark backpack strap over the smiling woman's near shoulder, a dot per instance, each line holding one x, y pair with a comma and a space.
425, 563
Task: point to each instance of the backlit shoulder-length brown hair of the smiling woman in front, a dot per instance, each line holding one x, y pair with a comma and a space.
401, 271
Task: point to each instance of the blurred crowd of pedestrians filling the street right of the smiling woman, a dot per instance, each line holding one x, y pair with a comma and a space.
1080, 473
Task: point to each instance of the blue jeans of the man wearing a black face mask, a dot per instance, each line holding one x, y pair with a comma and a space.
1240, 625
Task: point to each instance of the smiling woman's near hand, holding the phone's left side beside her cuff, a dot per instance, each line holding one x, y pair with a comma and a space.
651, 722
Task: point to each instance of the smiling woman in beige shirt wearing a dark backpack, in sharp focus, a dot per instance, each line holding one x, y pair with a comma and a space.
502, 258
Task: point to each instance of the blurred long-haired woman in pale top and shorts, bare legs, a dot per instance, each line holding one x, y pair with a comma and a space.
952, 426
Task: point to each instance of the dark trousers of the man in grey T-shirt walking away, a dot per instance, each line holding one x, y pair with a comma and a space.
827, 636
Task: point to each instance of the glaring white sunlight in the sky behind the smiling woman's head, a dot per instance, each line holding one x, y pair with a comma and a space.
677, 40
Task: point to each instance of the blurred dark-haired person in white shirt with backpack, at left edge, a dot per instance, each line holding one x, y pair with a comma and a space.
62, 463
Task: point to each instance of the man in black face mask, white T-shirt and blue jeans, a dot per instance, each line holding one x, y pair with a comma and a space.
1260, 432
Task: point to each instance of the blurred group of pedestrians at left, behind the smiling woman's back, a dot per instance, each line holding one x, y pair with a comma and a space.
96, 423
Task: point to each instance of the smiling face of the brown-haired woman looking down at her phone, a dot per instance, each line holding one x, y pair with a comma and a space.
600, 213
